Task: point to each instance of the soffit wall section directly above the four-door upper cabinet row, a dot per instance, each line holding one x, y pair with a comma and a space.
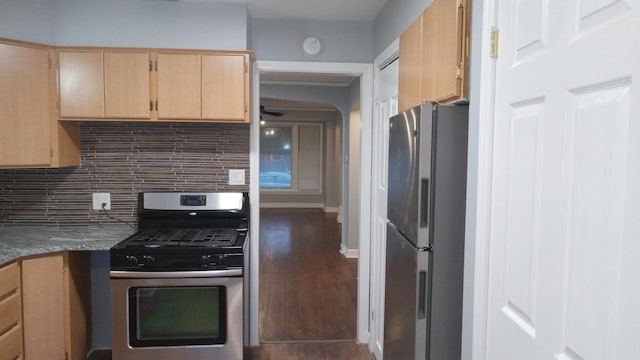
144, 23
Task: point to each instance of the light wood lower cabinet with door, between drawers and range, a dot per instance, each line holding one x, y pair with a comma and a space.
56, 306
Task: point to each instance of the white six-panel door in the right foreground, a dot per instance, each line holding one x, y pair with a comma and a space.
564, 277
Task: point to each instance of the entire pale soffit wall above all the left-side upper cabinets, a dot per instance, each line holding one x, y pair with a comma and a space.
126, 23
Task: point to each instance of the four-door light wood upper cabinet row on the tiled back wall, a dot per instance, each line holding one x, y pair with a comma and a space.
130, 84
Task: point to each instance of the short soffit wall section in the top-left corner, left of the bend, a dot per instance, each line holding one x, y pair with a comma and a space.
27, 20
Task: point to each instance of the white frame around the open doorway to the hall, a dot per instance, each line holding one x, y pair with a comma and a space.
365, 72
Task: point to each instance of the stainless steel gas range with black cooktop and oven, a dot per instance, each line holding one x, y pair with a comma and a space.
177, 284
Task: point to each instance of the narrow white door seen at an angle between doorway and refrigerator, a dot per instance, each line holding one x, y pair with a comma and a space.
386, 106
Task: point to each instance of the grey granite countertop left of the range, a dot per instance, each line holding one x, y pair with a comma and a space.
19, 241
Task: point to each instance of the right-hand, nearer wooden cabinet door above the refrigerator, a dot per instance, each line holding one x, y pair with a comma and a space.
443, 31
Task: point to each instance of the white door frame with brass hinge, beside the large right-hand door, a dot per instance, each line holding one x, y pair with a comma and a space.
479, 181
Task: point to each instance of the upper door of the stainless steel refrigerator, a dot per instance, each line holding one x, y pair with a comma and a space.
409, 173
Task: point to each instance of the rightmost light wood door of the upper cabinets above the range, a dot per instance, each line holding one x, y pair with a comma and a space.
224, 84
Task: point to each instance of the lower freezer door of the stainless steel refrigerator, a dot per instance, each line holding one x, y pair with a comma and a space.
406, 296
